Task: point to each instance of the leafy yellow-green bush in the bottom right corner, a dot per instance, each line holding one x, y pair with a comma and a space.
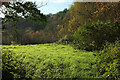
108, 62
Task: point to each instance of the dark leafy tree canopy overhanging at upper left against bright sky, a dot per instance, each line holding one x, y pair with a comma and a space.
27, 10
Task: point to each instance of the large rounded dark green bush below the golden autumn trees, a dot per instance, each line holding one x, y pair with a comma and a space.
93, 36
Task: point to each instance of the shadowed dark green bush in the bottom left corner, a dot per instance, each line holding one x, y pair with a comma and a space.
11, 67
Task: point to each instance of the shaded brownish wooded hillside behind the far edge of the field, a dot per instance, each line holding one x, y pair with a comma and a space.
27, 31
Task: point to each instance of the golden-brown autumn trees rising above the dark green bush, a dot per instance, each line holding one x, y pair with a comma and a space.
88, 12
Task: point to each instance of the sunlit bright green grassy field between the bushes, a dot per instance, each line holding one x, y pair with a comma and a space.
49, 61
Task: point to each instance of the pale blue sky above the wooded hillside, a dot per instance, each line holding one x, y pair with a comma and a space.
53, 6
